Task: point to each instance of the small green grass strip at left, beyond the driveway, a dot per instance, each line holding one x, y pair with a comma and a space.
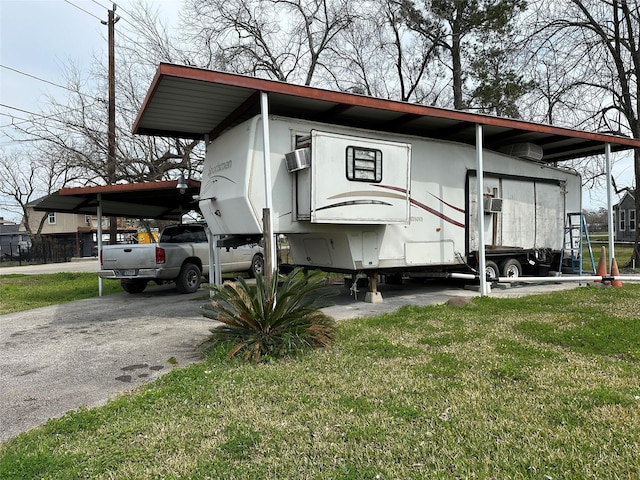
23, 292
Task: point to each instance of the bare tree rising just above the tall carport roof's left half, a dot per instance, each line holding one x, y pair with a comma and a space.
280, 39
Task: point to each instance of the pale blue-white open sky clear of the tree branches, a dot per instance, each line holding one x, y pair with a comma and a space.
39, 37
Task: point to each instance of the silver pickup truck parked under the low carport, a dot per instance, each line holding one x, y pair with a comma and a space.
181, 255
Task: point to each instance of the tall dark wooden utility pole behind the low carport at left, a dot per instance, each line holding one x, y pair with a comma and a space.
111, 140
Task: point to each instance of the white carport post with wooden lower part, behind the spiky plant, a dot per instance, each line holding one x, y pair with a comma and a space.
269, 239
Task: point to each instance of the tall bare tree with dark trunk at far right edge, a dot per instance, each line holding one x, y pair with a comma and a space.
605, 36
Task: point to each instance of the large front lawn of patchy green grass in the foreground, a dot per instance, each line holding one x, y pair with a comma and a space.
537, 387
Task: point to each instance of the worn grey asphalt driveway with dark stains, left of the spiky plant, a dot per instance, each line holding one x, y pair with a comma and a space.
59, 358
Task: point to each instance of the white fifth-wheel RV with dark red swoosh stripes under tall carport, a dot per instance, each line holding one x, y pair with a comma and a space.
356, 200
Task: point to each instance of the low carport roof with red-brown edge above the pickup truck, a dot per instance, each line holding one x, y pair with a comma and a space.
160, 200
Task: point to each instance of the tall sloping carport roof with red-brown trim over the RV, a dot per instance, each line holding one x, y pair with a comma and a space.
194, 103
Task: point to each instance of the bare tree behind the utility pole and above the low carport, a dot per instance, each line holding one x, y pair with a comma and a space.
76, 126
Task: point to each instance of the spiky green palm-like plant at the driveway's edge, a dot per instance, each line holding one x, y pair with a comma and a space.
271, 320
